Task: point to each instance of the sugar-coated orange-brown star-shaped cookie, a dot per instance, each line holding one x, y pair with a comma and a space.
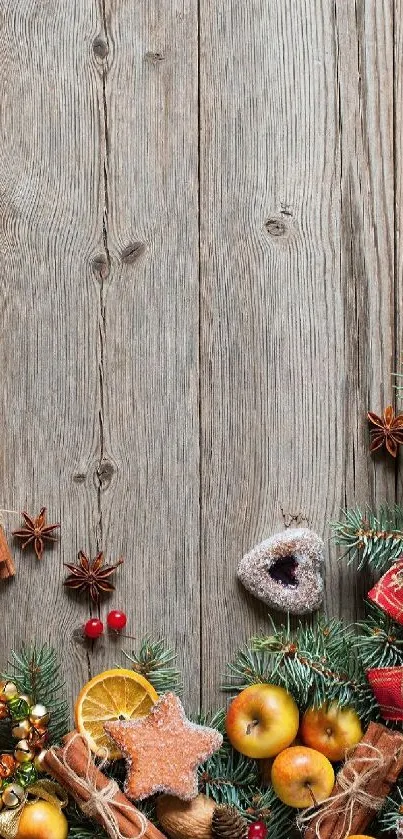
163, 750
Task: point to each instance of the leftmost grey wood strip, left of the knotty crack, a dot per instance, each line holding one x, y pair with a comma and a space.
50, 231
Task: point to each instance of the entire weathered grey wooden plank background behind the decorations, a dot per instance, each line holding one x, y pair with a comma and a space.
200, 271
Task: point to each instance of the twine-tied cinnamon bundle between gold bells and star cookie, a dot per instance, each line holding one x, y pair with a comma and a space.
74, 769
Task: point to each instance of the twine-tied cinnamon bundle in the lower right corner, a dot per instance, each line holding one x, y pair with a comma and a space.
378, 761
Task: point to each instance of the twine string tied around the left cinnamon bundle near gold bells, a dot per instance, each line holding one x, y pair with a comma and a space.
100, 803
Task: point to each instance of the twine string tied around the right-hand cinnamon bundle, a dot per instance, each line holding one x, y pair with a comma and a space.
353, 793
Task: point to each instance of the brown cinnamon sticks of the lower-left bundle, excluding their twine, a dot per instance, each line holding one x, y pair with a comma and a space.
58, 763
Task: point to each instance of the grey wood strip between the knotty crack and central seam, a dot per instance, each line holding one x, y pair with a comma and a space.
149, 324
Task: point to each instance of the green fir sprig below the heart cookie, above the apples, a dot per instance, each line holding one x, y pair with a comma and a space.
316, 664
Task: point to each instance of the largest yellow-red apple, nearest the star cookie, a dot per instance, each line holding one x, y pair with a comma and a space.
262, 720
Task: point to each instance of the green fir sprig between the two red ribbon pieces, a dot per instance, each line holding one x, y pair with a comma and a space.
379, 642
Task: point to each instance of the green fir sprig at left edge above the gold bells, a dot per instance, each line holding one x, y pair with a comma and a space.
36, 672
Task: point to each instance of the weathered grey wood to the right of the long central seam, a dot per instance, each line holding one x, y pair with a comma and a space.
296, 285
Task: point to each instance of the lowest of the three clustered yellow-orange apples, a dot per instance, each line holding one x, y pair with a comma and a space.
302, 777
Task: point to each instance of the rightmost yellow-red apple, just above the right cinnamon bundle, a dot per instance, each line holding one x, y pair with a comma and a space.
331, 730
